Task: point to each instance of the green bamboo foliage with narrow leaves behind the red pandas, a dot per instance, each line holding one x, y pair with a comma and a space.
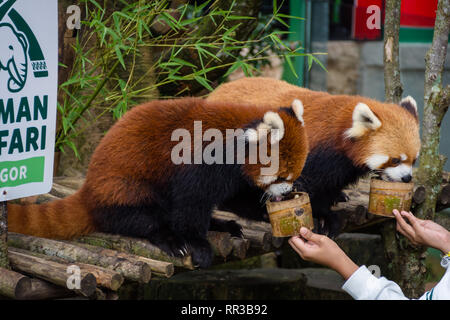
111, 45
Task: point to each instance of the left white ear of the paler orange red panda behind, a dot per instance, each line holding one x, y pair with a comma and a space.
363, 120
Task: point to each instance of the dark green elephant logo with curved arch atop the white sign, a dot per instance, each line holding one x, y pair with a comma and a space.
18, 47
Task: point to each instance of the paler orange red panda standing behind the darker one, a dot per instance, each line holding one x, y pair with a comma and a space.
348, 137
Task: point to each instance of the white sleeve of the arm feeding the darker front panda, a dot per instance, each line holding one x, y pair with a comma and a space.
363, 285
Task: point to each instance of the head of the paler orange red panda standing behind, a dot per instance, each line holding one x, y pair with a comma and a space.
386, 137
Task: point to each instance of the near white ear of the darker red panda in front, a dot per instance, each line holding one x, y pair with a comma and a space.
271, 123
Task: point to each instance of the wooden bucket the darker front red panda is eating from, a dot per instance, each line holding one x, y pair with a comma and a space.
288, 216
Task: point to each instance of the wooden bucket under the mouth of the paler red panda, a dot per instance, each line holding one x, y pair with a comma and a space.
386, 196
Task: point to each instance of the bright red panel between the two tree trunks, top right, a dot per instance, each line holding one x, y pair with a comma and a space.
418, 13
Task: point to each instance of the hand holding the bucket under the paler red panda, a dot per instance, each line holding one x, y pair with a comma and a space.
423, 232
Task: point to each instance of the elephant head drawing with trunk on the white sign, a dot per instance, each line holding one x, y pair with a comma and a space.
13, 57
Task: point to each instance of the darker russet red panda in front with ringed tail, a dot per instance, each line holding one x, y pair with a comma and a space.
133, 187
